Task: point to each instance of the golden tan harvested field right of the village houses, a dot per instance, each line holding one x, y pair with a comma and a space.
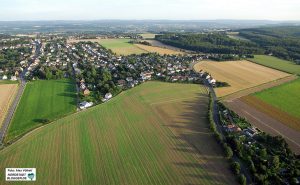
240, 75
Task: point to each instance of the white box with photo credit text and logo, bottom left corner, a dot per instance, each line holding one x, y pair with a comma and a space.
20, 174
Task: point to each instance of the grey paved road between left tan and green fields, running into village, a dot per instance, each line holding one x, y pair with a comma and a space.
13, 107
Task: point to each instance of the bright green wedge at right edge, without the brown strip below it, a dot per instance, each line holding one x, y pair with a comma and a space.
285, 97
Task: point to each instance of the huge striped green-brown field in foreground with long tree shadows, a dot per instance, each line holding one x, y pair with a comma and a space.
156, 133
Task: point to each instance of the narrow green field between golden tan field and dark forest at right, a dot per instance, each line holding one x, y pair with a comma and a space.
277, 63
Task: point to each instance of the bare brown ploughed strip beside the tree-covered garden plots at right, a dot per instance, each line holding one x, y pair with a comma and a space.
266, 123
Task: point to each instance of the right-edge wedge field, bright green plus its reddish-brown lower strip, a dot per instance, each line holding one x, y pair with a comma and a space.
280, 102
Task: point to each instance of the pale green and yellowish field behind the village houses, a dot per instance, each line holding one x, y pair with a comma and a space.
121, 46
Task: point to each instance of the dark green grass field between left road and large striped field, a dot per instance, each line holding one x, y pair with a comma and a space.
42, 101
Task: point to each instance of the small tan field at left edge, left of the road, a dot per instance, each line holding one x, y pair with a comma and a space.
7, 94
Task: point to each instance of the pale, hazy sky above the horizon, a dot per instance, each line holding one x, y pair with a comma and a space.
11, 10
